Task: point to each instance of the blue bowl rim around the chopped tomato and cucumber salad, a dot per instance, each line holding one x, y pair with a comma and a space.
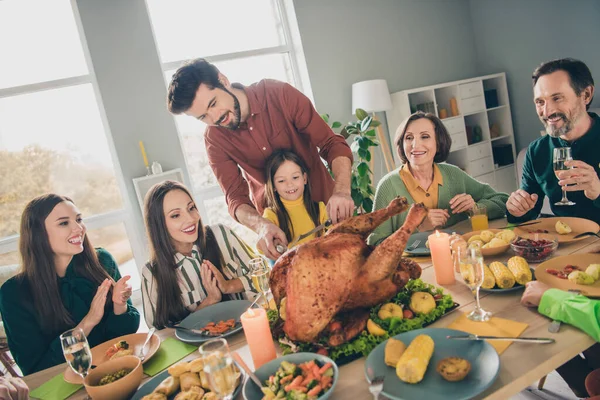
253, 392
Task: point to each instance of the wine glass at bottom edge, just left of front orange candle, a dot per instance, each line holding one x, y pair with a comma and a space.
219, 367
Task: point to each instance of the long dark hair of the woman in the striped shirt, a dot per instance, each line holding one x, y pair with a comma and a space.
169, 305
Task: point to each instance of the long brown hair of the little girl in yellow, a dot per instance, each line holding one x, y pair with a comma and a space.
272, 198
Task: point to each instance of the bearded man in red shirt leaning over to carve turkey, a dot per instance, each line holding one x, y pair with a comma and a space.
245, 125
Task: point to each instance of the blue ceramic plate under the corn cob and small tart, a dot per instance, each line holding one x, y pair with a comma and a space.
485, 366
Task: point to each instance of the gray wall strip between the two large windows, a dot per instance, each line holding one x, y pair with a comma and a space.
132, 88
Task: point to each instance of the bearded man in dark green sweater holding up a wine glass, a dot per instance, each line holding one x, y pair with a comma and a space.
563, 90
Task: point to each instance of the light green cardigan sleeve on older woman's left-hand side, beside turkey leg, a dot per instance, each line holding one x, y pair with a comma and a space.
385, 193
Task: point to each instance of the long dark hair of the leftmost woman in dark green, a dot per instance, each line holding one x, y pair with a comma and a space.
38, 268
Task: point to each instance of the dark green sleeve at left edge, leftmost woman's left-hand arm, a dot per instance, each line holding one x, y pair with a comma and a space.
29, 346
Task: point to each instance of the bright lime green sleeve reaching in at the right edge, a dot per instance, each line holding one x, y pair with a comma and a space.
572, 309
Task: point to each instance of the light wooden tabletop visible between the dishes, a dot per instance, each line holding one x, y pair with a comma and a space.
520, 365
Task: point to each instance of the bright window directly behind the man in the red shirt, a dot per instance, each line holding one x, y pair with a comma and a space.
248, 41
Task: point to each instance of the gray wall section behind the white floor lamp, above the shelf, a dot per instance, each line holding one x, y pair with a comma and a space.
409, 43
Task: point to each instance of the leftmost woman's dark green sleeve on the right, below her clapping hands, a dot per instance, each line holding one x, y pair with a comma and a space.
129, 321
